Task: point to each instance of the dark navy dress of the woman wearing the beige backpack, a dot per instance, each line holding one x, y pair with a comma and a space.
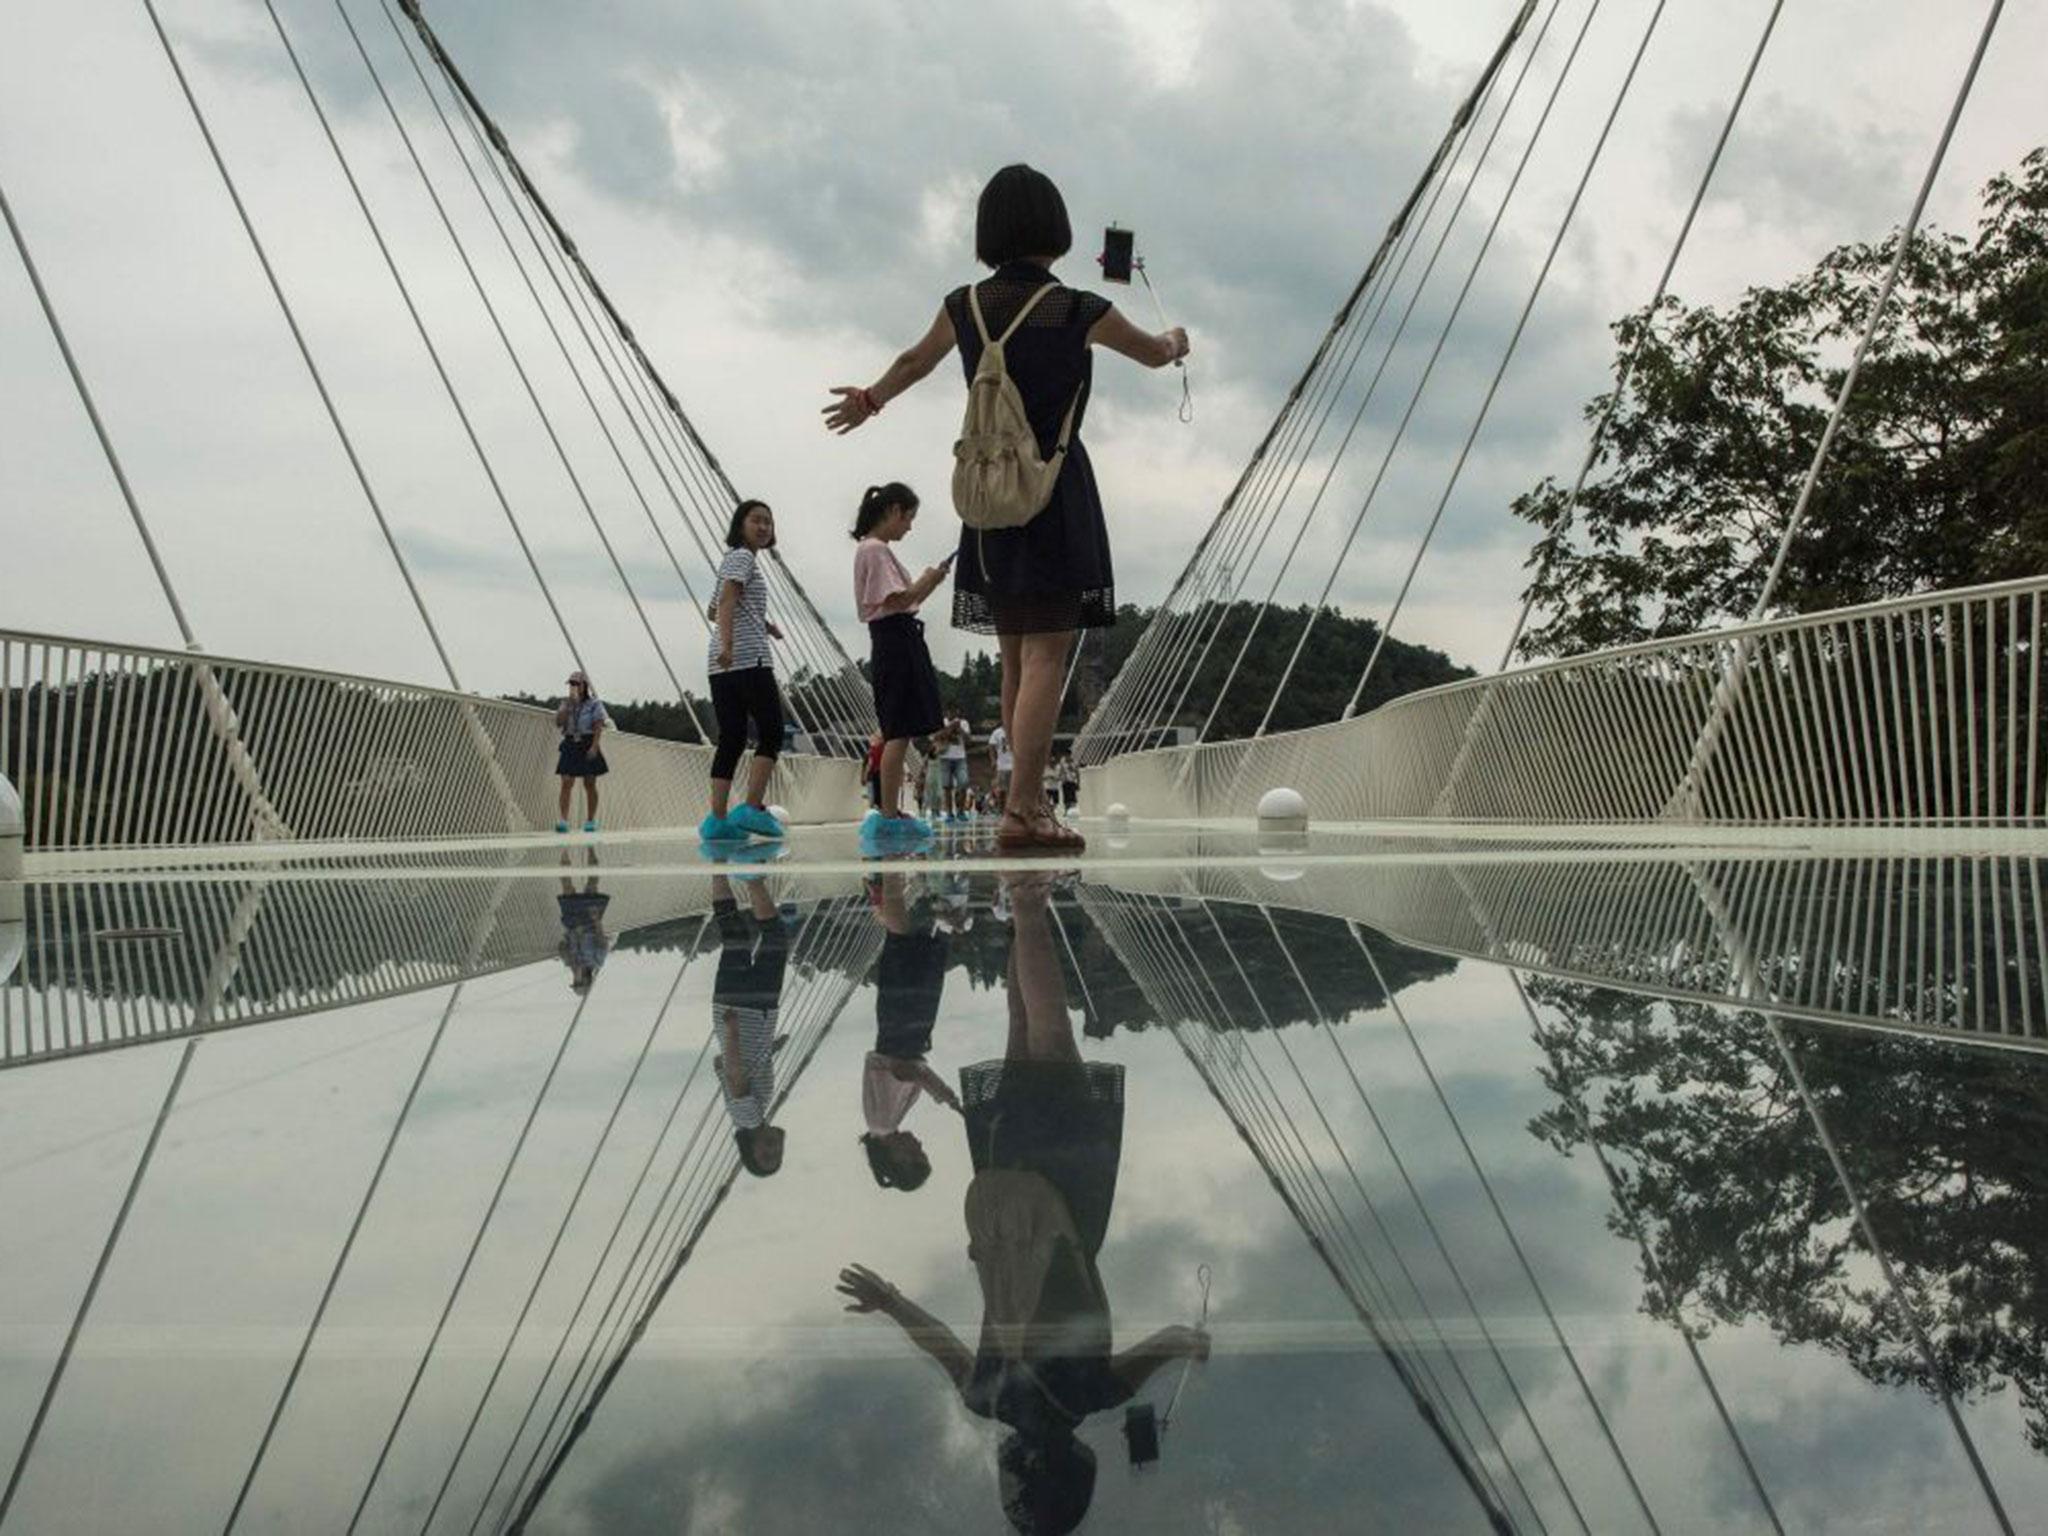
1054, 572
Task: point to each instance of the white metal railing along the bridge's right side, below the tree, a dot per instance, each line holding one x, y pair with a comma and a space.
1922, 712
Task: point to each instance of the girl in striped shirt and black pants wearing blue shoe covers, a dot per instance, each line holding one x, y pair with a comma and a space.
742, 681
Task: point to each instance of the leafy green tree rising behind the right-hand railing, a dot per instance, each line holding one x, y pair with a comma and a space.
1938, 474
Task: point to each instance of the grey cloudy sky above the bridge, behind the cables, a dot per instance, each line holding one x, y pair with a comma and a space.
777, 196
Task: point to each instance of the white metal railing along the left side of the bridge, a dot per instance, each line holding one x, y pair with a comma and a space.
126, 746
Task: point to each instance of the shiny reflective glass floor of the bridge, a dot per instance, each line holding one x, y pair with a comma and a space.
1203, 1187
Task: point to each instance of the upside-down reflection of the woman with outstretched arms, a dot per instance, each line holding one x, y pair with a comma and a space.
1046, 1132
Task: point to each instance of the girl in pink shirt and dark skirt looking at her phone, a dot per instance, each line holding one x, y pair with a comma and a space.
888, 599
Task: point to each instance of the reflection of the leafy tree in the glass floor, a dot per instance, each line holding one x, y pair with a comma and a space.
1746, 1220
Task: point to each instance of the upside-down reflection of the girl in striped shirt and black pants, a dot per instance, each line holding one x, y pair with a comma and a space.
744, 1002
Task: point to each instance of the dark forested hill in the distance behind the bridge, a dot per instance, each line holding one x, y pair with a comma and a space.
1322, 685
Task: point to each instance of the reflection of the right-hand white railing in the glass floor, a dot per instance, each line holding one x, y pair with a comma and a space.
1938, 945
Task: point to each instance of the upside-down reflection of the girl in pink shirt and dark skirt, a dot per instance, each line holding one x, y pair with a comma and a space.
908, 986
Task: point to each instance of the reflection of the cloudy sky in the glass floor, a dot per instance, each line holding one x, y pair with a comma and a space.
757, 1406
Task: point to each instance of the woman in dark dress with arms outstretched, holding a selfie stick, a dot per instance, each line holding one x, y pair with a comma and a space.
1037, 585
